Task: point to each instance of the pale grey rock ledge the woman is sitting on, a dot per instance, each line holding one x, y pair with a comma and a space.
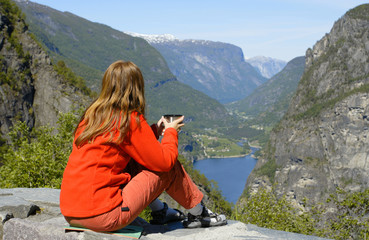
48, 223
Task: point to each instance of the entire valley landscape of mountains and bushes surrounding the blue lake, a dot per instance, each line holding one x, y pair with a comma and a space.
310, 118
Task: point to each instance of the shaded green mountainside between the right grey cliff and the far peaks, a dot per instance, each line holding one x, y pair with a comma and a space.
269, 102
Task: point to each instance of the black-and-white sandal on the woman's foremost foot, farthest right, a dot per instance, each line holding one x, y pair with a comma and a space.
206, 219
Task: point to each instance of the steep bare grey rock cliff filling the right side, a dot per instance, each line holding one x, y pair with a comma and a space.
322, 142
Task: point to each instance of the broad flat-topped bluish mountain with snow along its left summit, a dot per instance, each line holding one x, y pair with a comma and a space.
214, 68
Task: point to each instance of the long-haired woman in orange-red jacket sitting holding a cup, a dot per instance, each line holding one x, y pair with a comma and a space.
118, 167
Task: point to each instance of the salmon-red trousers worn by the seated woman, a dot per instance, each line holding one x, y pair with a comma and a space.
144, 188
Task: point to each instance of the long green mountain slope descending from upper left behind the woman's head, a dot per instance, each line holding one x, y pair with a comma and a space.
89, 48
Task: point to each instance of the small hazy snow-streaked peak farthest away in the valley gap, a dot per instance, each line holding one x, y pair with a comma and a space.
267, 66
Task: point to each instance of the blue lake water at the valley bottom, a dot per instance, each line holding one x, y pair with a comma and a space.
230, 173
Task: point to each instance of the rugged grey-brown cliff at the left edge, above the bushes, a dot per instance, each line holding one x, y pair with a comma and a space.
30, 89
